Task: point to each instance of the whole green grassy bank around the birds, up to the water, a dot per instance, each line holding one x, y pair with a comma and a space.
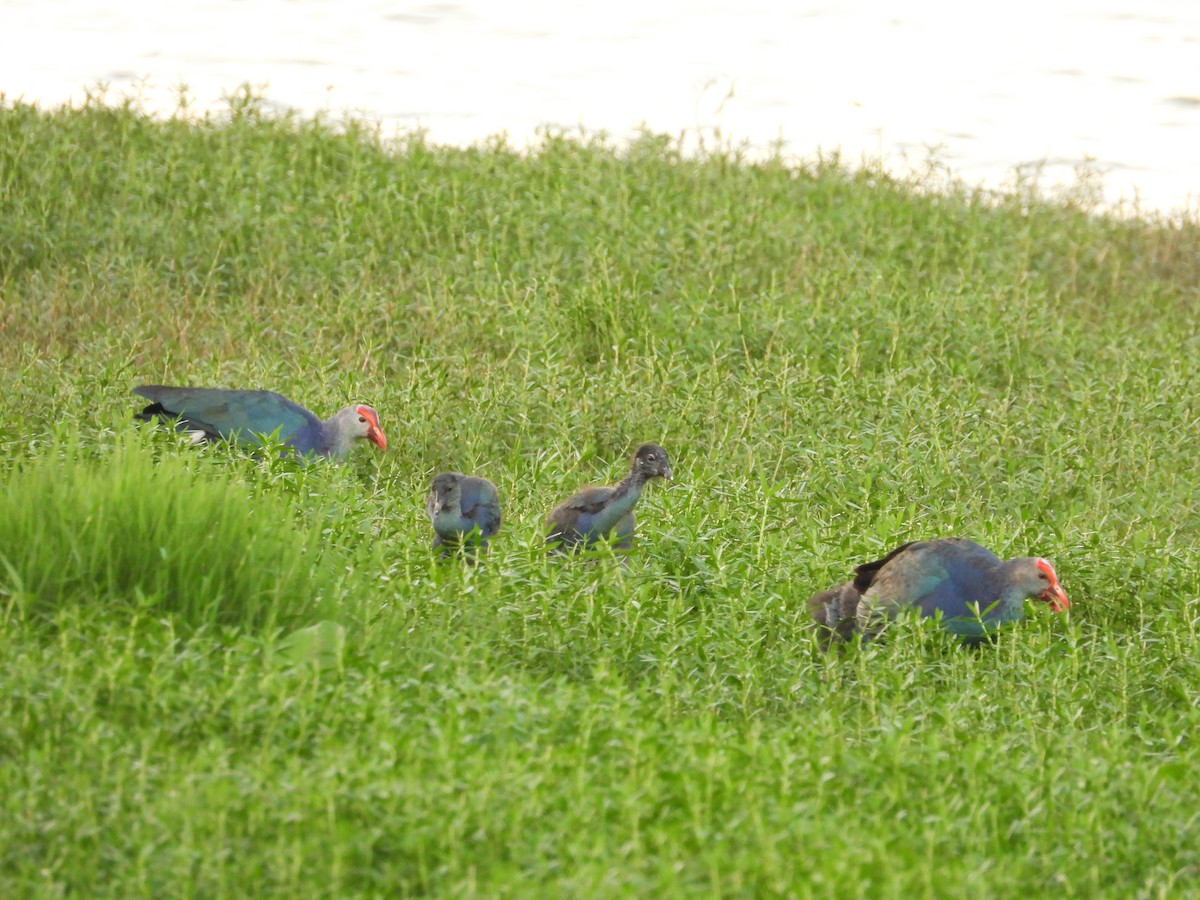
238, 676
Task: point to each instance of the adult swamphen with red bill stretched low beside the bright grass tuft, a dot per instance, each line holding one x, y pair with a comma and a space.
243, 416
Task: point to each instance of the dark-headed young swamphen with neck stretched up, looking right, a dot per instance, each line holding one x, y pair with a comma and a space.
607, 513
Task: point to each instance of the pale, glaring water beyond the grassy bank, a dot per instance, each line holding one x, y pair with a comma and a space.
995, 92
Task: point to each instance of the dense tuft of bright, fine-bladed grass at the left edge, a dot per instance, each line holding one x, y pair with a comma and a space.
163, 533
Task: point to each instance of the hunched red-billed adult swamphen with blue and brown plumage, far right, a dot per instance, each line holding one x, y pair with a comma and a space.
974, 590
